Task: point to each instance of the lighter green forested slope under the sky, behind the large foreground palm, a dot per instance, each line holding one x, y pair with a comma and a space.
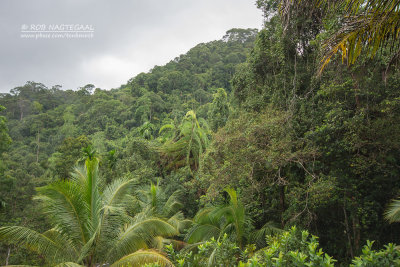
50, 127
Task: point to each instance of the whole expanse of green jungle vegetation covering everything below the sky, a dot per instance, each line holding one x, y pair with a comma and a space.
238, 153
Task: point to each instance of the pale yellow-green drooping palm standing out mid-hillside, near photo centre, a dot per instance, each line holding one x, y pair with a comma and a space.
189, 142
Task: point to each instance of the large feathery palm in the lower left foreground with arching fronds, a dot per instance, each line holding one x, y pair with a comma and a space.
91, 223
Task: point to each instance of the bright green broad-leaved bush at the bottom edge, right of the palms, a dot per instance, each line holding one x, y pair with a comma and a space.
291, 248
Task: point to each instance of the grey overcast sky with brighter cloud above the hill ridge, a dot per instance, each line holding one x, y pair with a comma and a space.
129, 37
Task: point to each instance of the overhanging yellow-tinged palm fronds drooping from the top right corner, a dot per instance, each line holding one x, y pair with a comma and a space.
368, 25
